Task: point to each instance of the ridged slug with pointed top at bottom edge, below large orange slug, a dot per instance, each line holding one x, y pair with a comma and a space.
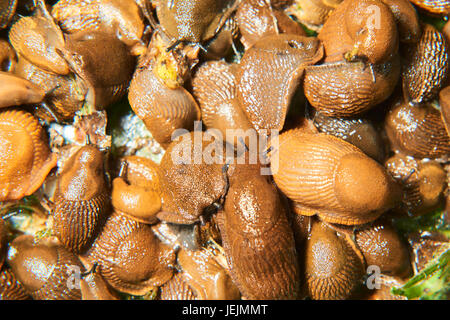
333, 269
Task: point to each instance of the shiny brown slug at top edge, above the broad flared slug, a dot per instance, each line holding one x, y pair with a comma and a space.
257, 19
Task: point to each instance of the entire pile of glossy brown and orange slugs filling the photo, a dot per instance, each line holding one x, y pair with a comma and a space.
358, 90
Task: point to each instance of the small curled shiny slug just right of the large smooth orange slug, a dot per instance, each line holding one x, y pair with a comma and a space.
423, 182
